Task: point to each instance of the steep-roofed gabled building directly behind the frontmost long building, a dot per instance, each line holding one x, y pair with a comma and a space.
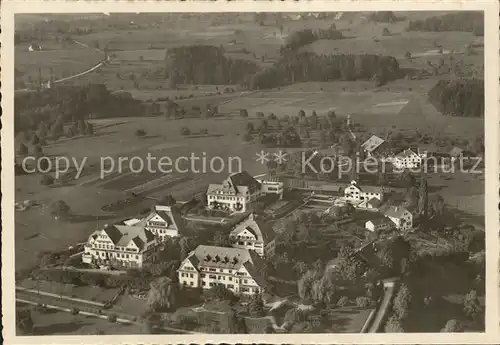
253, 233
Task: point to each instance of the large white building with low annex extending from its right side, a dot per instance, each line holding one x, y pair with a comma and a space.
238, 191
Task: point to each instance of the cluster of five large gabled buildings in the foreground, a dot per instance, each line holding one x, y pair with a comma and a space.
134, 243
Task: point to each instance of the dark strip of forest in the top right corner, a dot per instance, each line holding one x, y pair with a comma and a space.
460, 21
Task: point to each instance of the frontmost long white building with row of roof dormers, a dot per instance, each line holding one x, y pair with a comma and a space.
239, 270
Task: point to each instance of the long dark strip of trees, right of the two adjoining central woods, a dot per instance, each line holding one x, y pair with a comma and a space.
304, 67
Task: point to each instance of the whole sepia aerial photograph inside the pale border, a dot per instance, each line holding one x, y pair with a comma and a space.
235, 173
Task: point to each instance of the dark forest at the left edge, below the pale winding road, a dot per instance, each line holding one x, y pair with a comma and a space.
52, 108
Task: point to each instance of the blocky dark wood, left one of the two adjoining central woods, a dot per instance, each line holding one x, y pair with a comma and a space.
204, 64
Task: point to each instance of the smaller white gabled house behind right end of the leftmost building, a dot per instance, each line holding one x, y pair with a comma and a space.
164, 222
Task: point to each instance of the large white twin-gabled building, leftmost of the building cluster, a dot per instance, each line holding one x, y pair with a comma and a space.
120, 246
